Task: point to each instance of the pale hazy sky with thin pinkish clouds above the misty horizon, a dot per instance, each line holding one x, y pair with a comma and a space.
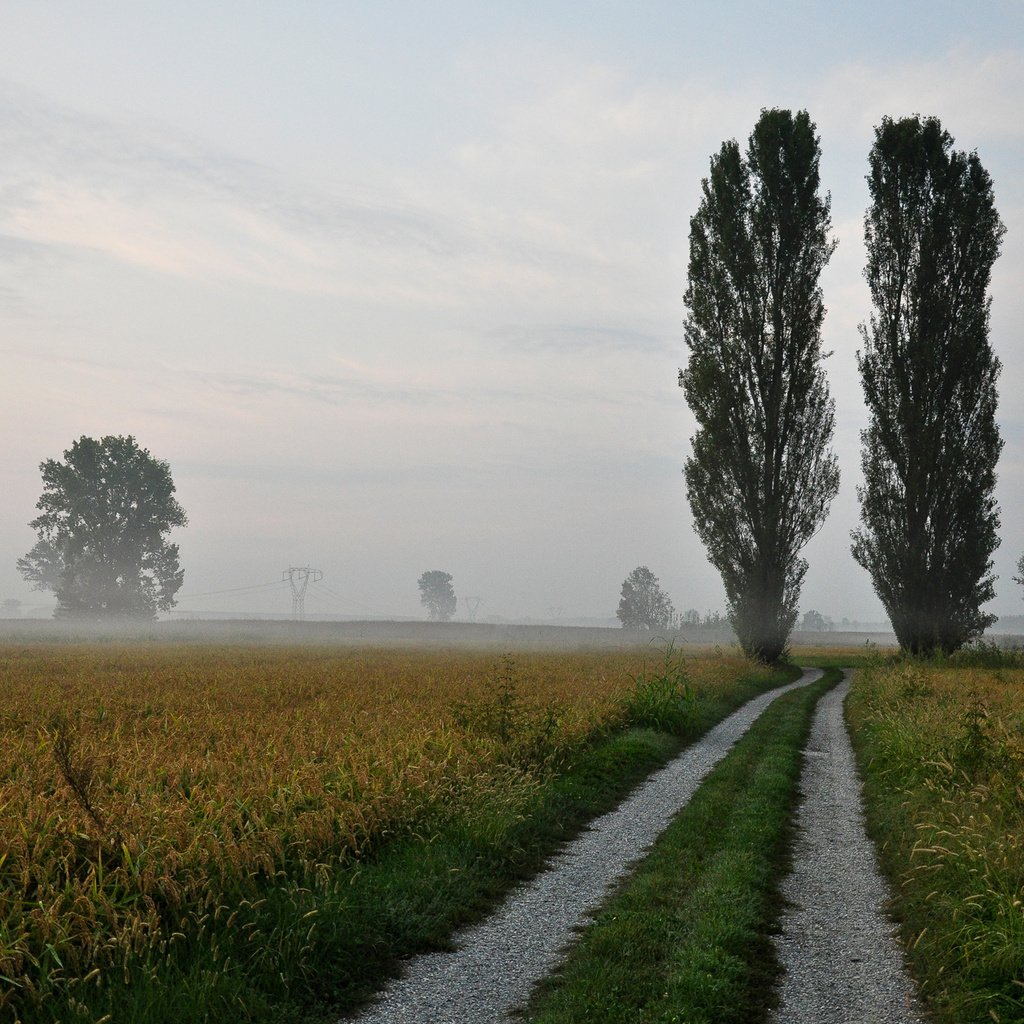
396, 287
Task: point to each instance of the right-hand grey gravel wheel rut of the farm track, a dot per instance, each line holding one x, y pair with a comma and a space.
843, 965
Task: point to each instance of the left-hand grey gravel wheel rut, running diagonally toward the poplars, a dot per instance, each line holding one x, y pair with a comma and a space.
496, 964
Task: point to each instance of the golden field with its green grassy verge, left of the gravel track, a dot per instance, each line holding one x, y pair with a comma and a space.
200, 821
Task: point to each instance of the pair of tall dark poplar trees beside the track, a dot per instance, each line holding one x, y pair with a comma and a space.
762, 475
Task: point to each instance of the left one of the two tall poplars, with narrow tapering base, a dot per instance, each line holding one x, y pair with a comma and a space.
761, 477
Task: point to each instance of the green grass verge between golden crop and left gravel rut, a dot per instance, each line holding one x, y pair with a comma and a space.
314, 951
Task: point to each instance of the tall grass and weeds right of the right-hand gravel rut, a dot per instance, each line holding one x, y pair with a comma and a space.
942, 748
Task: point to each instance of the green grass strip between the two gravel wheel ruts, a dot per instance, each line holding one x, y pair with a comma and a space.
688, 938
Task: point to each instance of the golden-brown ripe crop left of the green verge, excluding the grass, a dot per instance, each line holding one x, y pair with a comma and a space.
145, 789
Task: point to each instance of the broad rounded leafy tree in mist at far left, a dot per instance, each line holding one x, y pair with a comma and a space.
104, 516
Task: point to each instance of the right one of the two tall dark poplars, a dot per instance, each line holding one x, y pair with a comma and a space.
928, 509
